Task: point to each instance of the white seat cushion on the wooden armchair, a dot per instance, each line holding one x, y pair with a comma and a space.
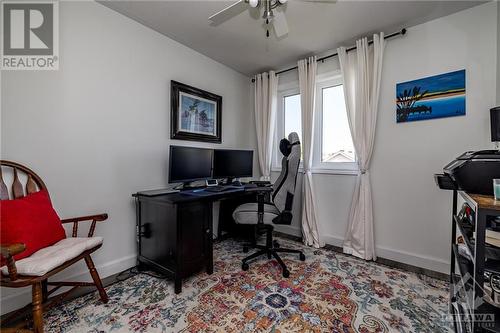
46, 259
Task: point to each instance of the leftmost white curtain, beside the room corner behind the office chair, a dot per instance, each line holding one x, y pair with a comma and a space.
266, 94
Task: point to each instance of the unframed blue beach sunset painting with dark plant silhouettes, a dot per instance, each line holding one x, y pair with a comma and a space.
432, 97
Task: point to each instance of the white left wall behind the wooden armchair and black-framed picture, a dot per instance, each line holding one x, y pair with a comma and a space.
98, 129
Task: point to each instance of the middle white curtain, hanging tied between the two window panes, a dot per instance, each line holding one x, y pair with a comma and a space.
307, 84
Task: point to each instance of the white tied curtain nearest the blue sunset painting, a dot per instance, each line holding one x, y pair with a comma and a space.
361, 71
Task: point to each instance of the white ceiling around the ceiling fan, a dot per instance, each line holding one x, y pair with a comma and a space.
241, 44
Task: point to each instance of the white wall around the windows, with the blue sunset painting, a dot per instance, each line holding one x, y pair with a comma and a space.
412, 216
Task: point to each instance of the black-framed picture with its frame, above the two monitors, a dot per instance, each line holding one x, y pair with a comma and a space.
196, 114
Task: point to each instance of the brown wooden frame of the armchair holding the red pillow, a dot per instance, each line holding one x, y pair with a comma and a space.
15, 279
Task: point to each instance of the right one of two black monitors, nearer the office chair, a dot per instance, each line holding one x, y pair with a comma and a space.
231, 164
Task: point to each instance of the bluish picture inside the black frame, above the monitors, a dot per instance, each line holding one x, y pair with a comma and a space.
197, 115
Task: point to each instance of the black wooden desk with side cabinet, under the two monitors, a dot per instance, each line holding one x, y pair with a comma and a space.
174, 231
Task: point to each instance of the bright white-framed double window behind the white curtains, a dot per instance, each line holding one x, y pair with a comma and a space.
333, 149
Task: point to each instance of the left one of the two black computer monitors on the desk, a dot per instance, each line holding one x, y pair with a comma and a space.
188, 164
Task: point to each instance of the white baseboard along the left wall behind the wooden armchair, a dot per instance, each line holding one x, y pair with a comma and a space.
19, 299
